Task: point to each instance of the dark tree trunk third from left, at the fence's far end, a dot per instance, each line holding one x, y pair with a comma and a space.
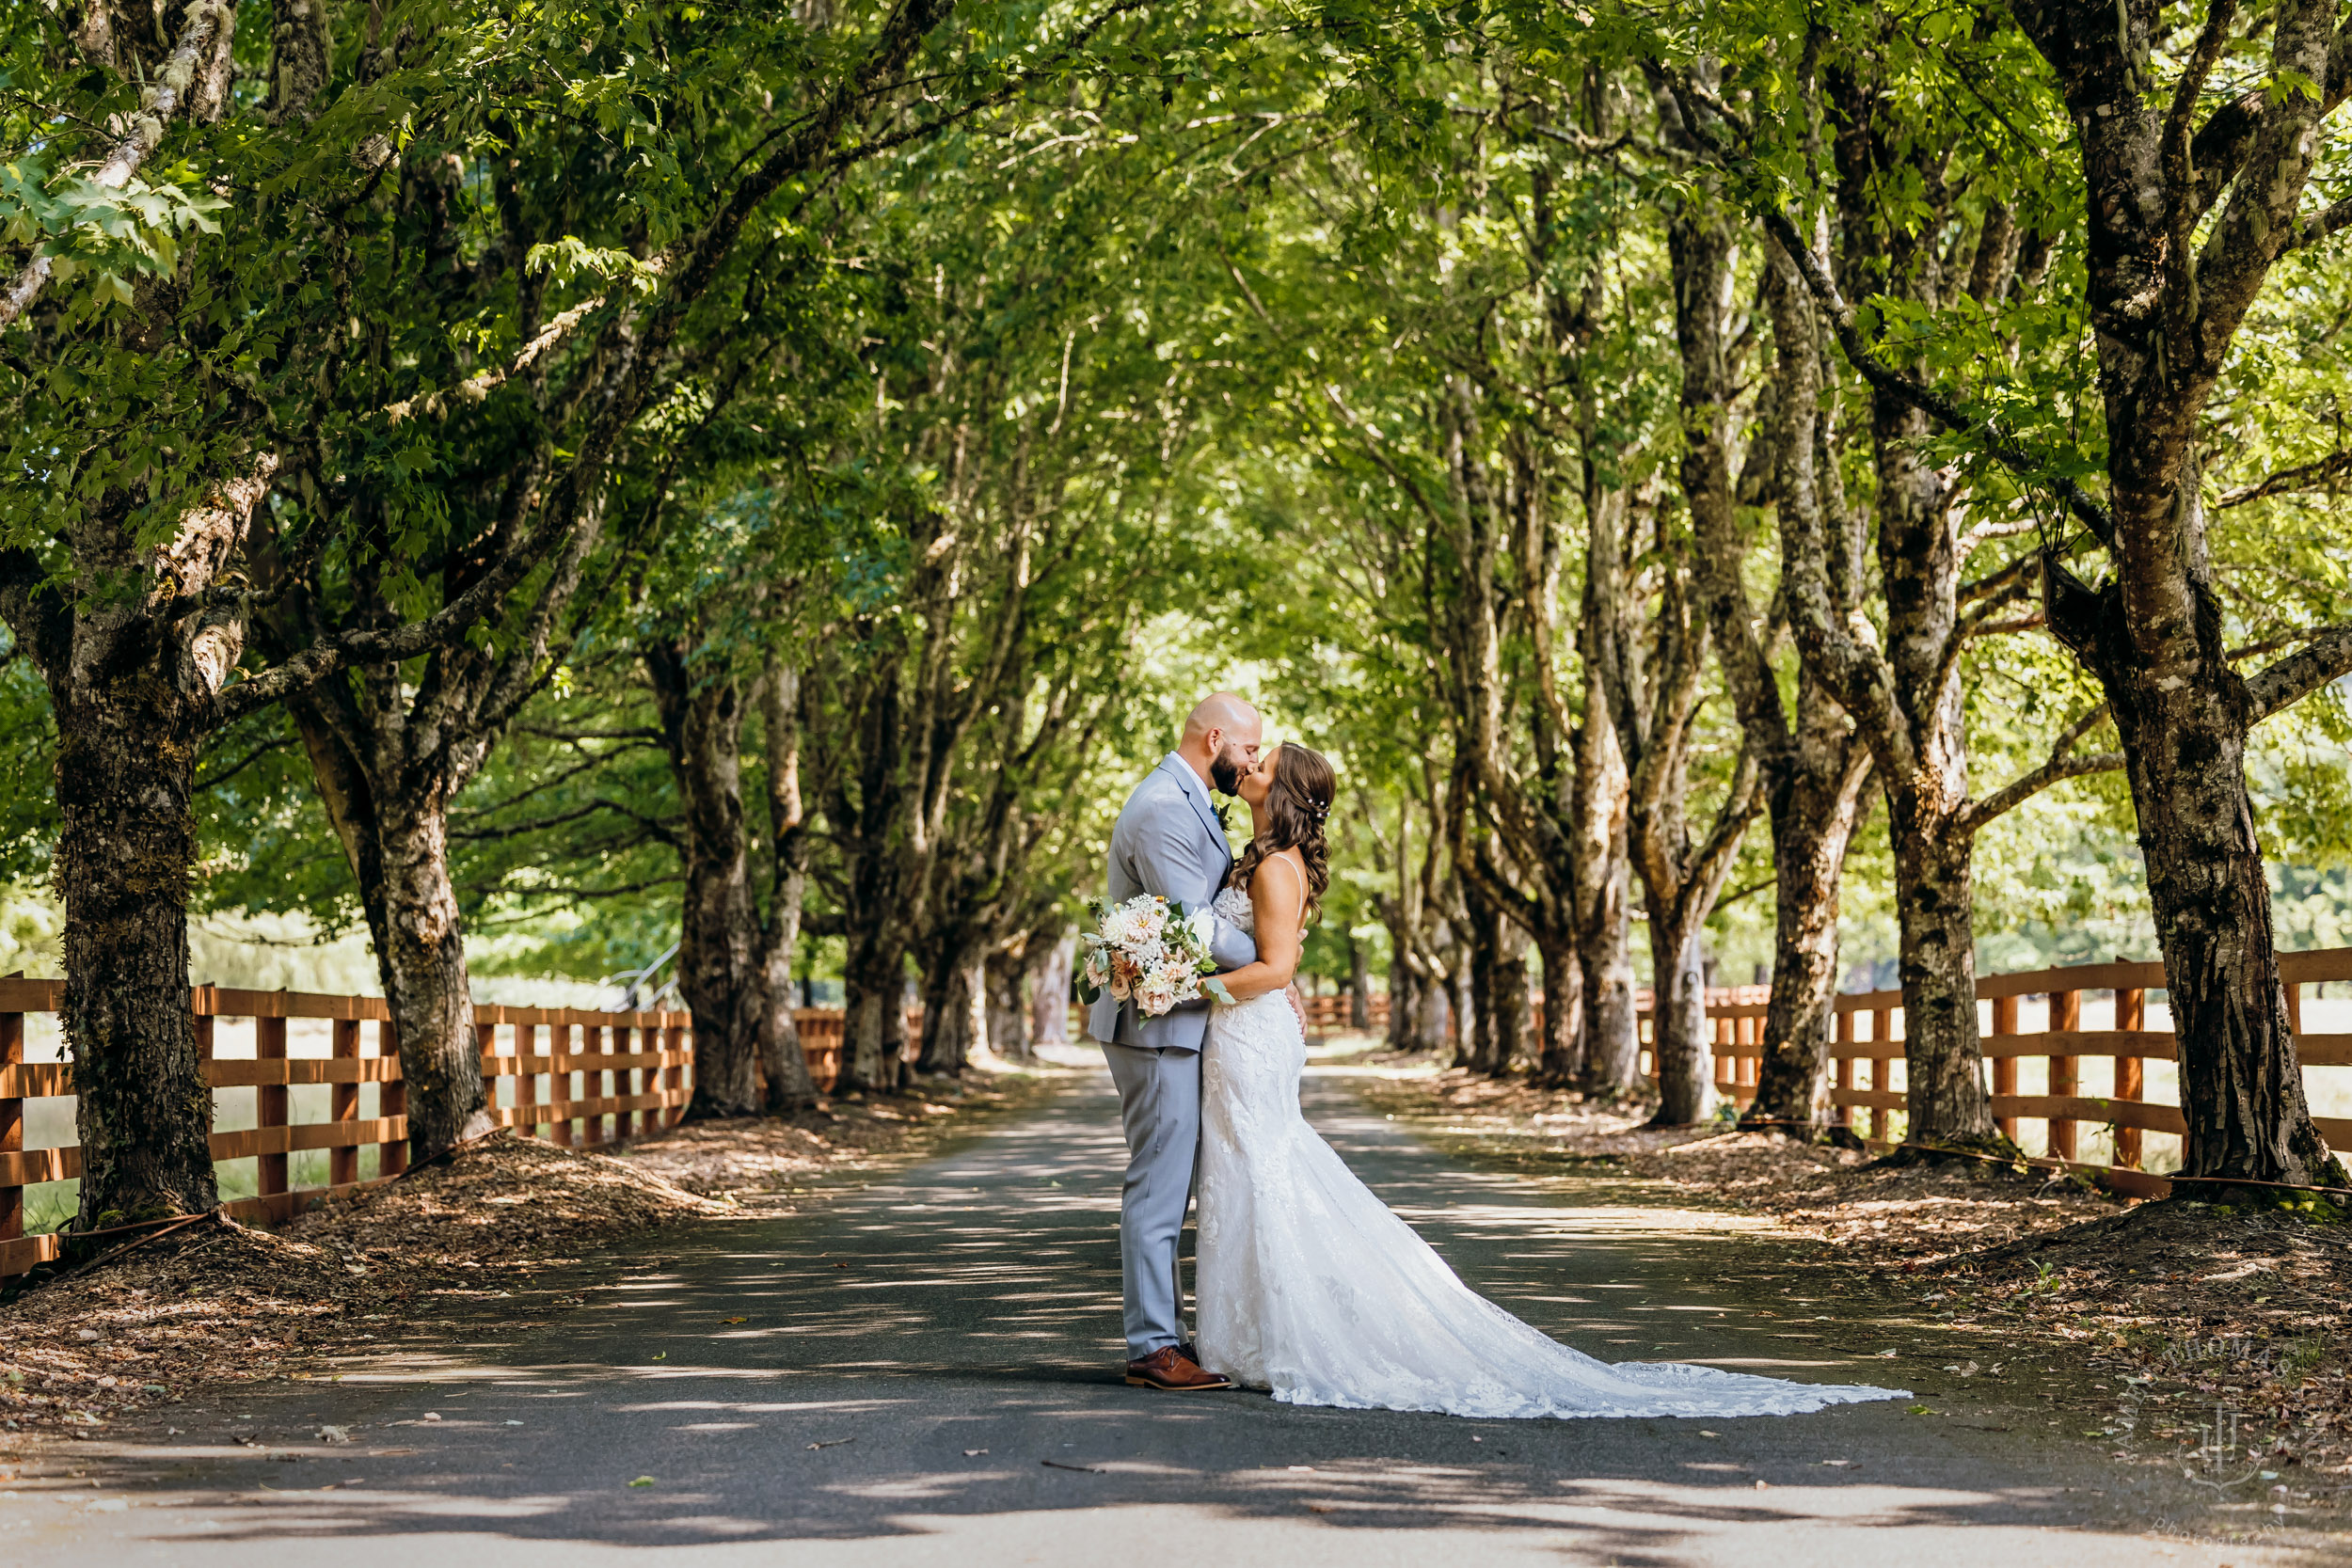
719, 934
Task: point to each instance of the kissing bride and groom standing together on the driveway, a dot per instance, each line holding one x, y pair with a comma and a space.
1307, 1285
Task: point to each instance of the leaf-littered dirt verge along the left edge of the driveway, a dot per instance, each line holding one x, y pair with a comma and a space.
495, 1231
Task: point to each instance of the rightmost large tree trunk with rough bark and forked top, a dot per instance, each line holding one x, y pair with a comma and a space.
2165, 316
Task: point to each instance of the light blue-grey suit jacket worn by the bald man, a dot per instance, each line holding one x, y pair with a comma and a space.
1168, 843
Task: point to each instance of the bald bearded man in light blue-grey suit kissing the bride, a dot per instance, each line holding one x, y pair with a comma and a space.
1170, 843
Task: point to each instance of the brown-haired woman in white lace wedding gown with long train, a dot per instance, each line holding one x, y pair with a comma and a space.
1307, 1282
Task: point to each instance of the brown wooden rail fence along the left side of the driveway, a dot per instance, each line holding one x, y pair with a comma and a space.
575, 1078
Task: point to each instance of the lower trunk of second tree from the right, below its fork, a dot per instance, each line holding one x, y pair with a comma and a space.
1946, 1099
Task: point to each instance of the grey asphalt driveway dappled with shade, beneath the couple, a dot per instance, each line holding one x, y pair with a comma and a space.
923, 1372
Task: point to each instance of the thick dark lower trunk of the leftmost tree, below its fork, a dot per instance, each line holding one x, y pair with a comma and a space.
126, 768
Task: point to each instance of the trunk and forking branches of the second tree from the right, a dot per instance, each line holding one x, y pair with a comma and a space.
1902, 688
